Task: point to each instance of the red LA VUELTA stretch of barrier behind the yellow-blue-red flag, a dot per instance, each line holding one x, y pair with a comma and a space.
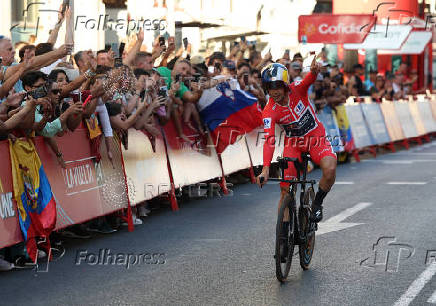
83, 191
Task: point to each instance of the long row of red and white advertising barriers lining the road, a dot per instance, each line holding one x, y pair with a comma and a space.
89, 188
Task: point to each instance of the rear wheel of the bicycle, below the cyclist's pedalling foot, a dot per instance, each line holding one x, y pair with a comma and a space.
307, 229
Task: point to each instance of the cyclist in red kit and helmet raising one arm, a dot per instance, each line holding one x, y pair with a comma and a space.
289, 107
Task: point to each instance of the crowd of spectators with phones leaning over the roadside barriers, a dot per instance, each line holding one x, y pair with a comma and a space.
43, 90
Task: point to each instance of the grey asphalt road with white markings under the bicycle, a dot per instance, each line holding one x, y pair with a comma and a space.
219, 251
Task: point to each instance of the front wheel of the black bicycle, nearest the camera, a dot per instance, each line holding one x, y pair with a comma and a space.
284, 239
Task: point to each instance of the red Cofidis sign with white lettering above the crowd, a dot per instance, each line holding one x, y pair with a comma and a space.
334, 29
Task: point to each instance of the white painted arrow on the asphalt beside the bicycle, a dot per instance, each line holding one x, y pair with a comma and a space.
335, 223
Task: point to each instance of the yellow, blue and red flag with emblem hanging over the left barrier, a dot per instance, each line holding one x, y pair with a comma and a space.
32, 191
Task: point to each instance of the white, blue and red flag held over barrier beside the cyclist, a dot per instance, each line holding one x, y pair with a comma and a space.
228, 112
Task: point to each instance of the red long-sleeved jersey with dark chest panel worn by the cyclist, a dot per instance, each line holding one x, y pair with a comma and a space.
298, 119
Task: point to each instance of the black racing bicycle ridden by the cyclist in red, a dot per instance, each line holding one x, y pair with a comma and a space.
300, 229
